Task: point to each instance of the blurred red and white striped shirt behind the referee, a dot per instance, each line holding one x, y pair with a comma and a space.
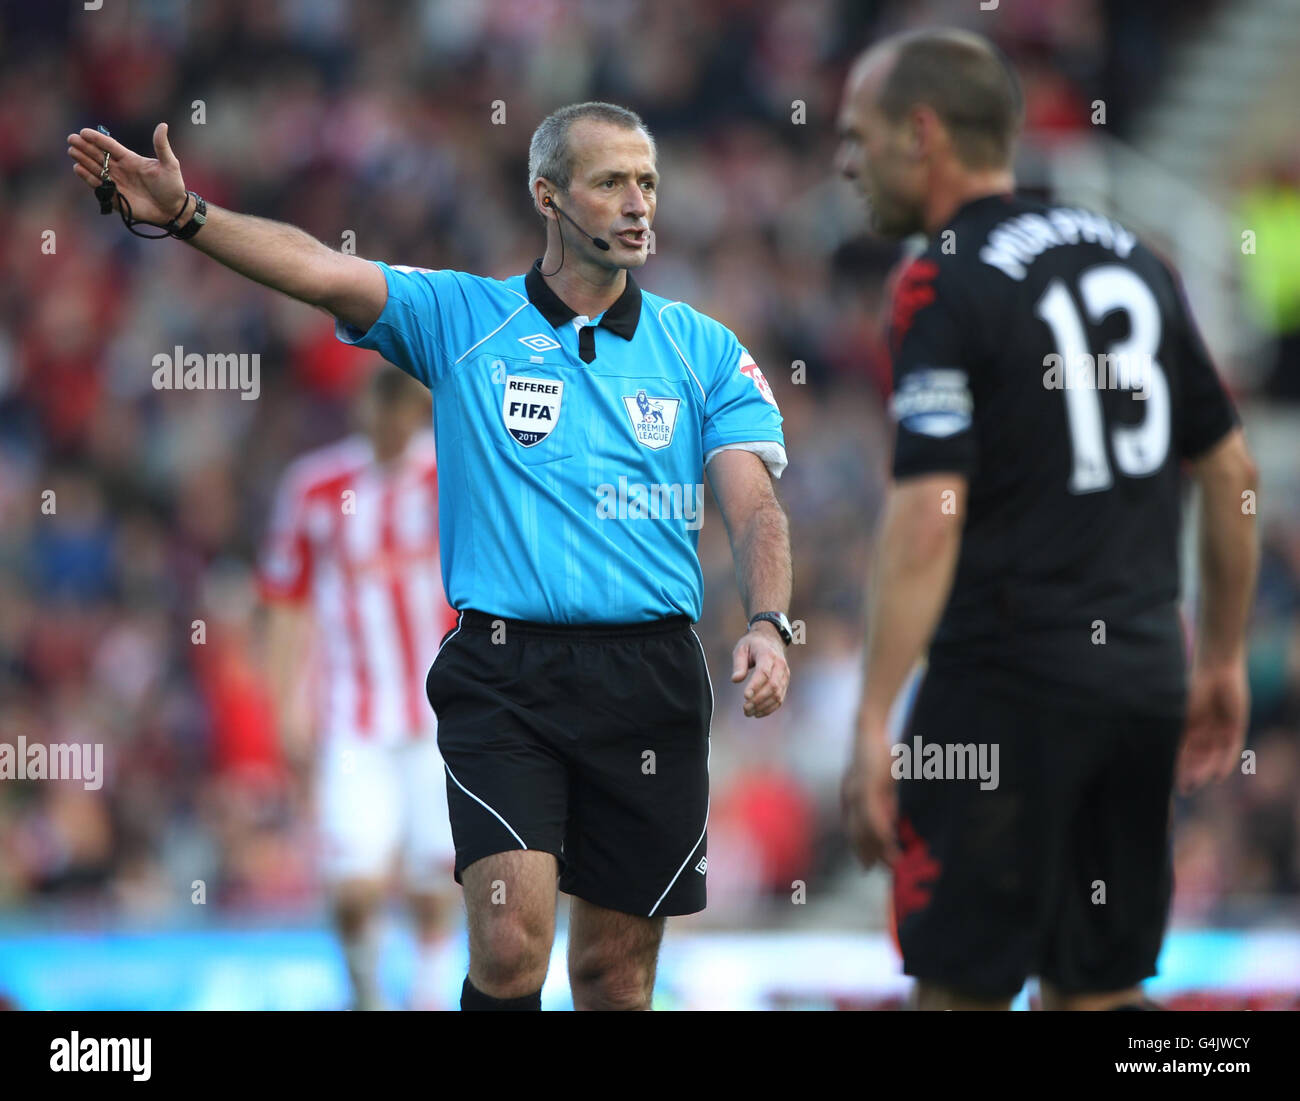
361, 541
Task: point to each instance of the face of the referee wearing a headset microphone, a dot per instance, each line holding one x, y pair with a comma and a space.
613, 192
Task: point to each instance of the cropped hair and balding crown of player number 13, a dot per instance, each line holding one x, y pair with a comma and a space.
961, 76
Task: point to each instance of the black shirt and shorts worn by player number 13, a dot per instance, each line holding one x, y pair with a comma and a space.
1051, 358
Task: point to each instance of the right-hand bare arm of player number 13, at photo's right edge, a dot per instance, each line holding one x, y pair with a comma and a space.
1219, 700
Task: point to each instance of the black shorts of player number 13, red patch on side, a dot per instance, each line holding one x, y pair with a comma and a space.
1063, 870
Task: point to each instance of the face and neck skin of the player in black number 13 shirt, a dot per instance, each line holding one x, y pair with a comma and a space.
877, 157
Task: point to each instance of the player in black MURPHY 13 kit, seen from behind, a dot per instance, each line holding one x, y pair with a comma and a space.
1030, 540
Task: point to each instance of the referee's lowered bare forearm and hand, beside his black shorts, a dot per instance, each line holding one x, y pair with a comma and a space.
760, 538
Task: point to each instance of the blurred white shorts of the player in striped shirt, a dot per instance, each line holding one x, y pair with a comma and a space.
379, 801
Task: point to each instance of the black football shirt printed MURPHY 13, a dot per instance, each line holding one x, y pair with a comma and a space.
1051, 358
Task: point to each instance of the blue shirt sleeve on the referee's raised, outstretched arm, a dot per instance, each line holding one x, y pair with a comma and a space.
413, 330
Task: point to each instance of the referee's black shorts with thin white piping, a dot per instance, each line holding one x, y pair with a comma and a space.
590, 743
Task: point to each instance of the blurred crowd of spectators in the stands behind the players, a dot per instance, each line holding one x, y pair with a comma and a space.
131, 517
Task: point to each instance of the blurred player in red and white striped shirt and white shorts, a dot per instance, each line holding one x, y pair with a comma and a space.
352, 575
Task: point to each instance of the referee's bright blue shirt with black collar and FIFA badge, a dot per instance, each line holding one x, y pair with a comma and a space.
571, 450
